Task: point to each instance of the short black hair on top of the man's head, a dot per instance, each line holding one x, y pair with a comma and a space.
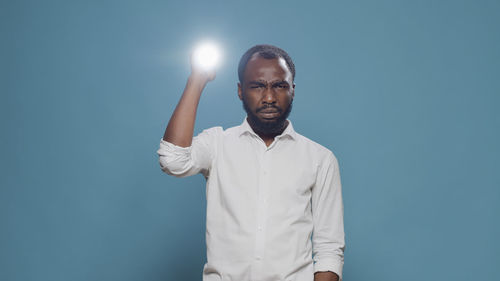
267, 52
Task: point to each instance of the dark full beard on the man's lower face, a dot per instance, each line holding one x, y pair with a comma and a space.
270, 127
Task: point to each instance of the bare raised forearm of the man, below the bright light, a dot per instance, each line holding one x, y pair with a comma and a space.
180, 128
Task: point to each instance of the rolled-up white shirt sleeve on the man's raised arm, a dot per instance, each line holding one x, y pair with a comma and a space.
187, 161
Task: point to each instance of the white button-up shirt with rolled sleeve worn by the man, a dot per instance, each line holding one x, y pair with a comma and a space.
264, 203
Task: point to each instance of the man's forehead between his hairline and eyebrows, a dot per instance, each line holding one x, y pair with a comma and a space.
259, 68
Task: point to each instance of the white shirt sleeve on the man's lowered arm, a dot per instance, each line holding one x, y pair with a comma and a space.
328, 212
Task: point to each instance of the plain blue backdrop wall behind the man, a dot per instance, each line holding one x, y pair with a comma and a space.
405, 93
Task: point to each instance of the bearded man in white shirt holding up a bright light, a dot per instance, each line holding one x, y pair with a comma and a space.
268, 188
